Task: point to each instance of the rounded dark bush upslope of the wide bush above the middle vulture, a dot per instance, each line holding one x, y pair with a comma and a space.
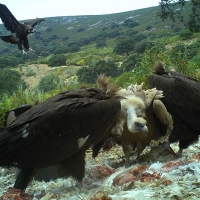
124, 46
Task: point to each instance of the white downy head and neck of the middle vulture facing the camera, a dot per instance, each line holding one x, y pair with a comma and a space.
133, 108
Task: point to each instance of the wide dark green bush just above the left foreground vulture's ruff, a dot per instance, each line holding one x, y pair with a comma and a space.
89, 74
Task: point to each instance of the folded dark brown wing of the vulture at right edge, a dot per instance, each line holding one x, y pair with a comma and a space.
181, 96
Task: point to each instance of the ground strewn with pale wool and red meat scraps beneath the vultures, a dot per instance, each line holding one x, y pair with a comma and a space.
155, 177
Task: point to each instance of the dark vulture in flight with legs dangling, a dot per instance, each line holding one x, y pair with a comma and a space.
19, 30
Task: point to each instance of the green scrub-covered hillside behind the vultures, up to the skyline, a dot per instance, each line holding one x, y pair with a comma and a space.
124, 46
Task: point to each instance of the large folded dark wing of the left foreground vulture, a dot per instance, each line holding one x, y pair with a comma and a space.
58, 128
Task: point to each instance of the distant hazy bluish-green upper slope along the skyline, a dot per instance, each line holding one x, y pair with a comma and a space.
58, 34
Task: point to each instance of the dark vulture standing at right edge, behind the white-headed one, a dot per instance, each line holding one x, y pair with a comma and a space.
182, 100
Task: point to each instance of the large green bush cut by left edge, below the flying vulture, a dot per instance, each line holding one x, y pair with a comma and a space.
10, 81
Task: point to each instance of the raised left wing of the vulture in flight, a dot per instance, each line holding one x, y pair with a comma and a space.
10, 22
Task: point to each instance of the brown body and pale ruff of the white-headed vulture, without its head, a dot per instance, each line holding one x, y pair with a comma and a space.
157, 123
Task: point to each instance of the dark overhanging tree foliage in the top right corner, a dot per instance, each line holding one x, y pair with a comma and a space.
173, 9
